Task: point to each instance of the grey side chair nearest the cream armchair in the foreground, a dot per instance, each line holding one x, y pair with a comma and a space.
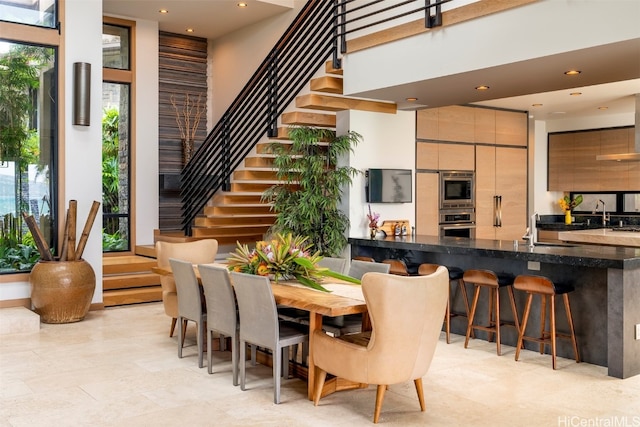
259, 325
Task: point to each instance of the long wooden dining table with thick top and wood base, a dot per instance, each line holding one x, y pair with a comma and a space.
343, 299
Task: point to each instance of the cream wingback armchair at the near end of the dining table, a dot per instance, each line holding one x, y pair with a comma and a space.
406, 316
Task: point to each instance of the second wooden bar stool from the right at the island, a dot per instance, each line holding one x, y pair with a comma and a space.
490, 280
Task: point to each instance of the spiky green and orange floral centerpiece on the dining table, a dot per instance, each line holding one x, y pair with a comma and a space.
284, 257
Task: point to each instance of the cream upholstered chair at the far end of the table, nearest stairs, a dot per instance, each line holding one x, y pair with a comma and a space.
197, 252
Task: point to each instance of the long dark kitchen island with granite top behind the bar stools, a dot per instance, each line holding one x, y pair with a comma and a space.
605, 304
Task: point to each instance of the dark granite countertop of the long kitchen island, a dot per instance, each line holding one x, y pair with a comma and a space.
577, 255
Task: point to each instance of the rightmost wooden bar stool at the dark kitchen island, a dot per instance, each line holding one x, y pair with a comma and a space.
546, 289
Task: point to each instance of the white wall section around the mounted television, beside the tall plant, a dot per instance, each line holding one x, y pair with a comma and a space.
388, 142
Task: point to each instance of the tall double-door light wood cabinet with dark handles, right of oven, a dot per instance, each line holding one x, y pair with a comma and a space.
501, 192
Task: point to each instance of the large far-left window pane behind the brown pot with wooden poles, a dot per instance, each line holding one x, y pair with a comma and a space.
28, 138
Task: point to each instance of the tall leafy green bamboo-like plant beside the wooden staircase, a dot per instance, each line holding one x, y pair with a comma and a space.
307, 204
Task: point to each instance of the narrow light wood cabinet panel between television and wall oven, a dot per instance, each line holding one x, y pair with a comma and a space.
427, 203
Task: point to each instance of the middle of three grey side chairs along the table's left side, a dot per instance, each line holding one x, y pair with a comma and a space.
222, 316
